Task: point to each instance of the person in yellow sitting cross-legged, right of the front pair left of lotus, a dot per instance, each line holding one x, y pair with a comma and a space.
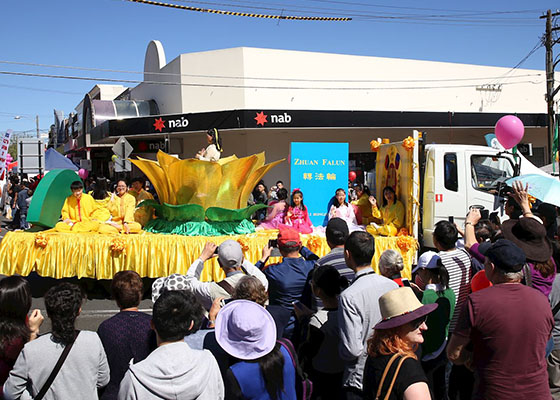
122, 207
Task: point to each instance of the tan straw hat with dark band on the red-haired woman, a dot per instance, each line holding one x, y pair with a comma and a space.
401, 306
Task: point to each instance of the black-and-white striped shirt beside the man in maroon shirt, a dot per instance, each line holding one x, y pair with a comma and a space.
458, 265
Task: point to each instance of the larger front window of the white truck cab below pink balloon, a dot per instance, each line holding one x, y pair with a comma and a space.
489, 171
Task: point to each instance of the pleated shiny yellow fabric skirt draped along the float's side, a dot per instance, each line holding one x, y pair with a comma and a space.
89, 255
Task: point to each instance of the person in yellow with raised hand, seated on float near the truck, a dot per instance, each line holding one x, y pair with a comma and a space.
390, 218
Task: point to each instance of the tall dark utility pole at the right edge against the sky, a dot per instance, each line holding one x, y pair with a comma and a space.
549, 43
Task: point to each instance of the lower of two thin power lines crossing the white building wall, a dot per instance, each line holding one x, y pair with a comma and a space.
243, 86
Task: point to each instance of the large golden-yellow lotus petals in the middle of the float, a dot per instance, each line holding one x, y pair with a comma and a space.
226, 183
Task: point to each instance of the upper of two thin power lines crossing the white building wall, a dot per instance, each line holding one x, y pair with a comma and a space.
270, 78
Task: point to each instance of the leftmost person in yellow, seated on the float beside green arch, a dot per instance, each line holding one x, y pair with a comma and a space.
80, 212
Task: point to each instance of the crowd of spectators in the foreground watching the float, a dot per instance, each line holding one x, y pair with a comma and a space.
477, 320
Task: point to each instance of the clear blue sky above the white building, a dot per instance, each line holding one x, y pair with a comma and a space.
113, 34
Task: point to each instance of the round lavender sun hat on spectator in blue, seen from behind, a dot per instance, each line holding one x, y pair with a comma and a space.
245, 330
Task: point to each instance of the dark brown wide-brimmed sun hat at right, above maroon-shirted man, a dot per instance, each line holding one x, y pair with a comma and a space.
530, 235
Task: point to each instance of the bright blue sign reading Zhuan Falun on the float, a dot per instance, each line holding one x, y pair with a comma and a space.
318, 169
